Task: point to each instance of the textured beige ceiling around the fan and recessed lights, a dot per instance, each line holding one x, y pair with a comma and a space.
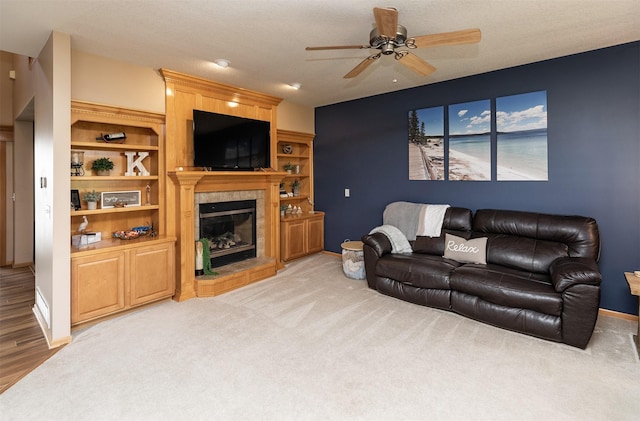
265, 40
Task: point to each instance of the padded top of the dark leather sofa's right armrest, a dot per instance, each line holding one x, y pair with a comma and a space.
568, 271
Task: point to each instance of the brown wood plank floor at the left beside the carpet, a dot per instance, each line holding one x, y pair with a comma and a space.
23, 346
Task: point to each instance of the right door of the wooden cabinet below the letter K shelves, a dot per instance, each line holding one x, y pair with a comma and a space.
151, 273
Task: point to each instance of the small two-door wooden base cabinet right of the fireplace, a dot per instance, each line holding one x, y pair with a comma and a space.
301, 235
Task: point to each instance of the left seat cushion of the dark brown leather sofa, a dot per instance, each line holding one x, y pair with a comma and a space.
419, 270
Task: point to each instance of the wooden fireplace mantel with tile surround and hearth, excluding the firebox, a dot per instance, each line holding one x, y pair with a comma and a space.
194, 187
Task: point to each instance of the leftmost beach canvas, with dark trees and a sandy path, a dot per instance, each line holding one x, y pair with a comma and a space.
426, 144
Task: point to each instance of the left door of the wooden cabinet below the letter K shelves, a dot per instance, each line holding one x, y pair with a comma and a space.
97, 285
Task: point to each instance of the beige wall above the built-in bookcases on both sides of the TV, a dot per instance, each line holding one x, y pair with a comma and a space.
105, 81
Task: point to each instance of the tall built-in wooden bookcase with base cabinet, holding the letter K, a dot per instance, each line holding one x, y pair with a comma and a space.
112, 275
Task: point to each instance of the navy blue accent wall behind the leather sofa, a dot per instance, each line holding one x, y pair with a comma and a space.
593, 102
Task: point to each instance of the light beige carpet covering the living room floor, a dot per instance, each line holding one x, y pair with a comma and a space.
311, 344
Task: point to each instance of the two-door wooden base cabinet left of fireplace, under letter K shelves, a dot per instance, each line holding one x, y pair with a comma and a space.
105, 282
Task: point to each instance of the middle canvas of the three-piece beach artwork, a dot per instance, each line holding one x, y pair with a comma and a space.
470, 141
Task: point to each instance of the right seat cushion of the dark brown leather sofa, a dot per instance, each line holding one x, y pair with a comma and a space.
508, 287
